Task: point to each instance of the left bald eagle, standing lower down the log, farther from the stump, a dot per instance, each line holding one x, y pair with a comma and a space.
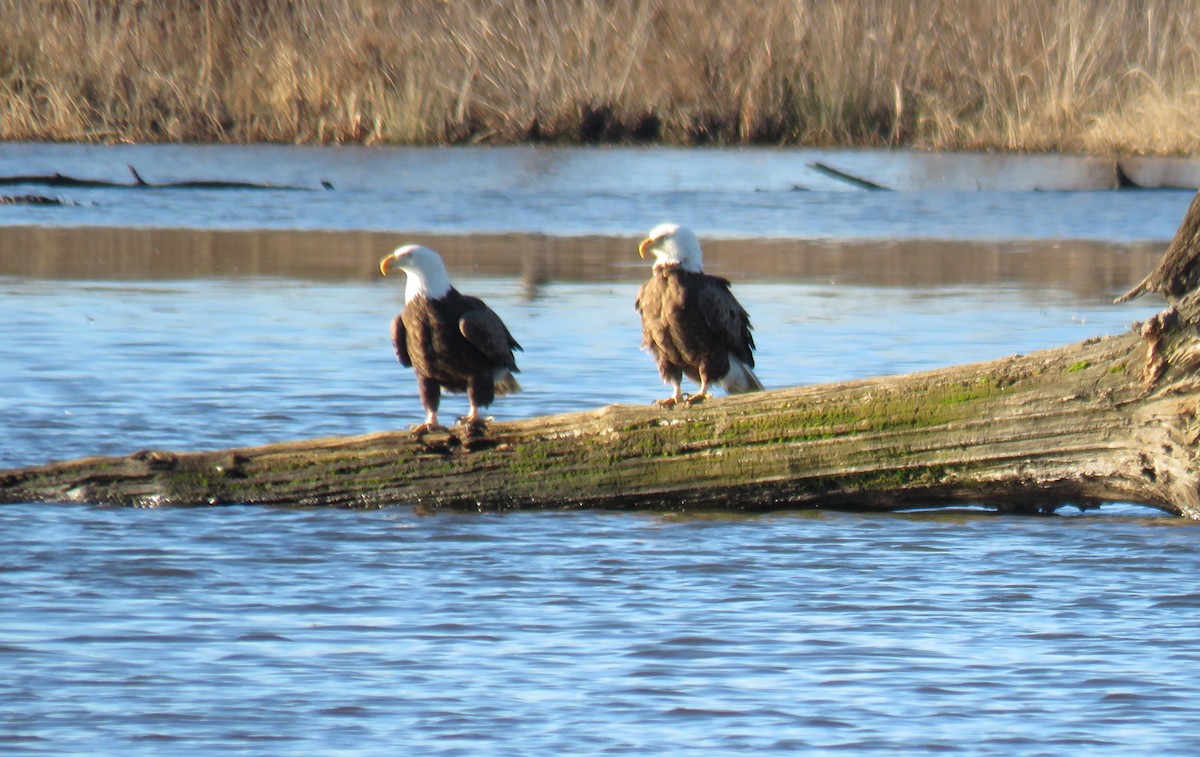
451, 340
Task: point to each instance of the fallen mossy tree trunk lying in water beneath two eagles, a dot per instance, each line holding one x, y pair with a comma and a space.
1111, 419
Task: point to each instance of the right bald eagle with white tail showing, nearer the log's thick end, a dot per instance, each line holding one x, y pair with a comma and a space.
692, 323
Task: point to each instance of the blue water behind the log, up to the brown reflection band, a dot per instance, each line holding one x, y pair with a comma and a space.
111, 368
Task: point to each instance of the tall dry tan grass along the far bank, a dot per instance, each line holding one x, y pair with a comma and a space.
1022, 75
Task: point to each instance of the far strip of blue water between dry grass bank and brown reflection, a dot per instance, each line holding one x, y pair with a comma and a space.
568, 191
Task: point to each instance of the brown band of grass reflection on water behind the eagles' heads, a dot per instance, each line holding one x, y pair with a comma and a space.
1089, 271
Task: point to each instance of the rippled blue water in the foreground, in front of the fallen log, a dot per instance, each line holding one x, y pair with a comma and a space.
274, 632
